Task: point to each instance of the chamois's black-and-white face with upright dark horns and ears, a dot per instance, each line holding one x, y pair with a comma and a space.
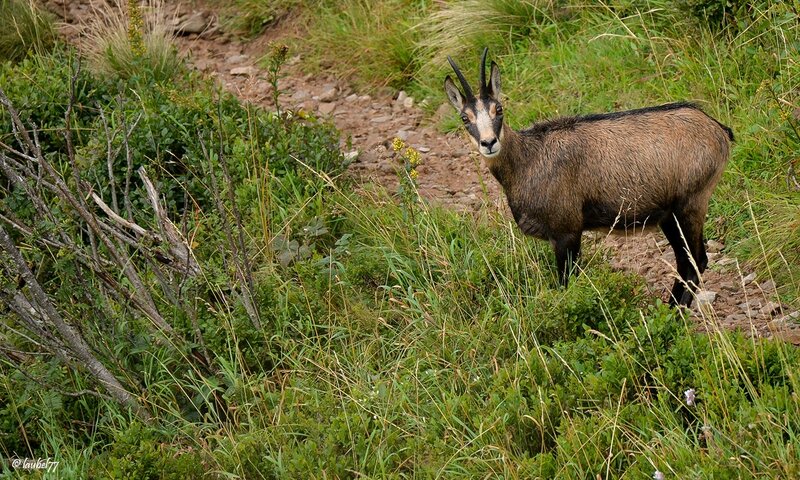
482, 115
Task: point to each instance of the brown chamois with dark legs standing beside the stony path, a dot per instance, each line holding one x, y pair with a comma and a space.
621, 170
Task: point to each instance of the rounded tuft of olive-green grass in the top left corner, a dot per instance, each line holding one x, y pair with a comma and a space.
24, 28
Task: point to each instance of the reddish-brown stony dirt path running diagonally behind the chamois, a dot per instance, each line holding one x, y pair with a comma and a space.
450, 174
